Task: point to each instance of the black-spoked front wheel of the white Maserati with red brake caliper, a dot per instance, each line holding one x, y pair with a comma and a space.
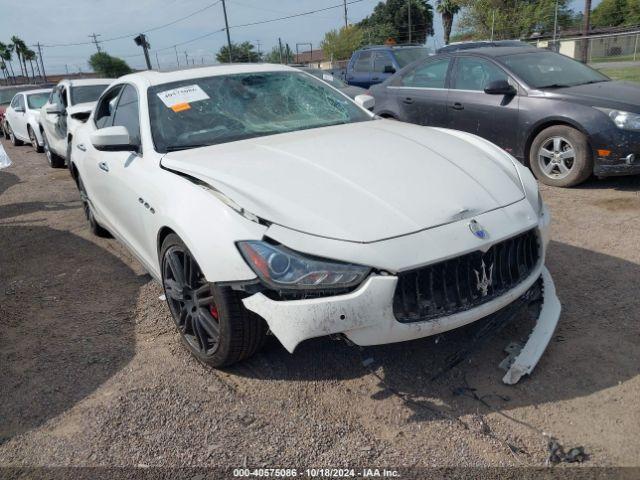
213, 323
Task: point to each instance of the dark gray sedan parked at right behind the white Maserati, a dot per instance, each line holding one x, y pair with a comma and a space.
560, 117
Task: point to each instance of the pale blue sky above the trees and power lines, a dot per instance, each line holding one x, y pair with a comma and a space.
72, 21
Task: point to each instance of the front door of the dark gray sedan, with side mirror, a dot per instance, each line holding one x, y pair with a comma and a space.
493, 117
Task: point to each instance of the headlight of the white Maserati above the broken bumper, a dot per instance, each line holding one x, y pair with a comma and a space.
282, 268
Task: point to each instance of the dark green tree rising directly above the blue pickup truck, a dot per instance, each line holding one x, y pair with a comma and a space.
390, 19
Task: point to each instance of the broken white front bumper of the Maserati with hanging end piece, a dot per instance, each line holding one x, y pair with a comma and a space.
366, 317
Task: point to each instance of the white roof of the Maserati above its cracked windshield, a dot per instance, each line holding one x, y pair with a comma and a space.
152, 77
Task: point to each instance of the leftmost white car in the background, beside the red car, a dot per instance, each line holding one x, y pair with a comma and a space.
22, 117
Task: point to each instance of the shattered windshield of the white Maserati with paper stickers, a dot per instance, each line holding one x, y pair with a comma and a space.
225, 108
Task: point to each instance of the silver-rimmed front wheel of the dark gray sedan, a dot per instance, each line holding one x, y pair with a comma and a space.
560, 156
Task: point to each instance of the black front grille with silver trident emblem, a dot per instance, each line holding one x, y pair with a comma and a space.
455, 285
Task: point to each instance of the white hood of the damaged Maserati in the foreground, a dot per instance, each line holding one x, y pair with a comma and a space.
360, 182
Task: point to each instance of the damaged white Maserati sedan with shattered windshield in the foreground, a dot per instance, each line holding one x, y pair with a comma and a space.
263, 198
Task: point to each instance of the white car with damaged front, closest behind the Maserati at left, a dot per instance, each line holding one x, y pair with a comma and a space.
68, 106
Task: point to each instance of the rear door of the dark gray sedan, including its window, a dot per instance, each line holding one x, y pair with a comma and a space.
422, 93
